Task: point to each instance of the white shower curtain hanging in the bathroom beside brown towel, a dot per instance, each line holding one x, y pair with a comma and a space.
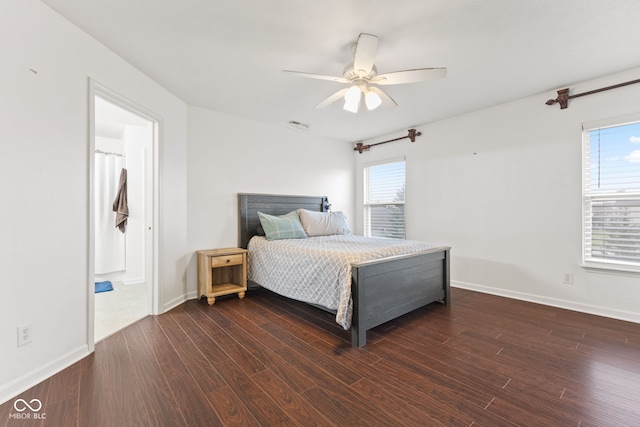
109, 241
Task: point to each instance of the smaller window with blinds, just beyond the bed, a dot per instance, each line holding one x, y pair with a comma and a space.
384, 186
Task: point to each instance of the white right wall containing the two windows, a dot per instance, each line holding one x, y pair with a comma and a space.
502, 187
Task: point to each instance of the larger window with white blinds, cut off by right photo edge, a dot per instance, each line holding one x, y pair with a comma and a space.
611, 194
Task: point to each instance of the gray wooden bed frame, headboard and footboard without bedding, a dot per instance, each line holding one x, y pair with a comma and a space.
382, 289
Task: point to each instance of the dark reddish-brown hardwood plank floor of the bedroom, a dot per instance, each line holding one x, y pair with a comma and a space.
266, 360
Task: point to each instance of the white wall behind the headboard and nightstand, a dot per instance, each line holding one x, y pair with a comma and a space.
230, 155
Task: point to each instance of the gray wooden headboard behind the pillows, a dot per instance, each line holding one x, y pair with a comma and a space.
250, 204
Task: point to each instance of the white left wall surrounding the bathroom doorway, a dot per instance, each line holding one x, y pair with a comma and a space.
44, 170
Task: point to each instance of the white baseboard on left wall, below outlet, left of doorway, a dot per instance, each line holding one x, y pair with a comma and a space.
30, 379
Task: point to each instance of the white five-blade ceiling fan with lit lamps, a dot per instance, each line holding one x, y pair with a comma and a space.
363, 78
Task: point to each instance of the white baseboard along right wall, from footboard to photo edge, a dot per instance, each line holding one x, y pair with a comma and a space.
553, 302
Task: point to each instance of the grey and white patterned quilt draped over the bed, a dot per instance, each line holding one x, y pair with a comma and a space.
317, 270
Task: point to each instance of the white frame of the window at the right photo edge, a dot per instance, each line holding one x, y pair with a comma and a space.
602, 197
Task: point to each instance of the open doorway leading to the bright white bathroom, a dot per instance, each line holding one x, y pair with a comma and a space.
122, 250
